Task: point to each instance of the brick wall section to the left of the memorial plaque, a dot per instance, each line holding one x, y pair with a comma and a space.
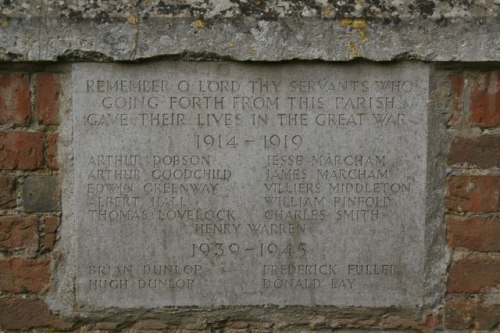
29, 197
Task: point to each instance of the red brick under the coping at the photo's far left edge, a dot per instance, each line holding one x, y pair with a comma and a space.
14, 99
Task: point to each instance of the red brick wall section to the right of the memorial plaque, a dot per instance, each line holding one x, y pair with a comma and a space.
473, 202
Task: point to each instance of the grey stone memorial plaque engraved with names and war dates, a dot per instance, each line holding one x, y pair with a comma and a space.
209, 184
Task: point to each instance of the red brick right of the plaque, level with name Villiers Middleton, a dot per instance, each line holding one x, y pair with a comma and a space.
473, 193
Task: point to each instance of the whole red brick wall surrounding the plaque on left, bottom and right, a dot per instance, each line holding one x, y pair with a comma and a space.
30, 213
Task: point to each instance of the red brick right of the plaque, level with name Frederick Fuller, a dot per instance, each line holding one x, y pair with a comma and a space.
474, 276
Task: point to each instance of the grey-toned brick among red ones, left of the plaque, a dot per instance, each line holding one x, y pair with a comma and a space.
41, 194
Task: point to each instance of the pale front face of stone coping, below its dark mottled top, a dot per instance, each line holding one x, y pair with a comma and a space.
34, 38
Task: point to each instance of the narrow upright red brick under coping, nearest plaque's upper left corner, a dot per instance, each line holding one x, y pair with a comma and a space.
47, 98
